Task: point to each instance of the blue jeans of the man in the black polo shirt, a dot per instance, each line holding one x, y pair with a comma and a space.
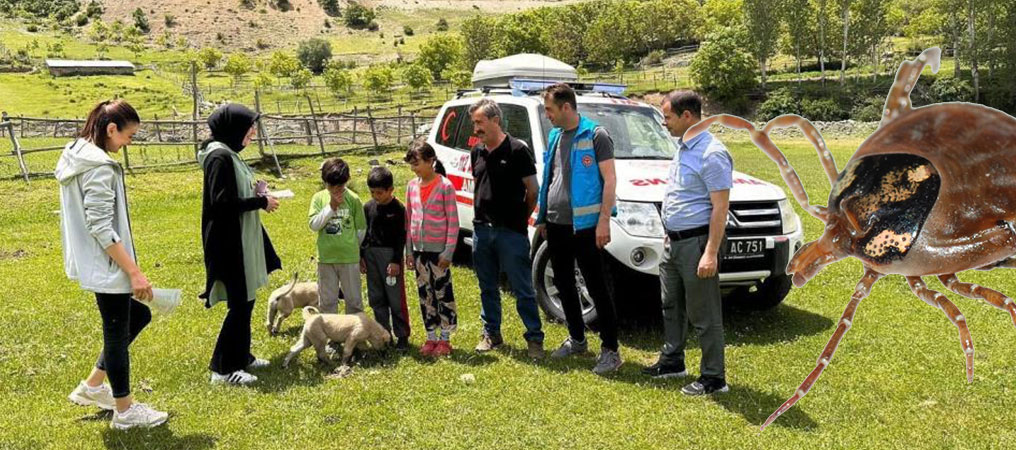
497, 249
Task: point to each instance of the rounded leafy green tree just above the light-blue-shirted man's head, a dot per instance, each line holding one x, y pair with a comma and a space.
722, 69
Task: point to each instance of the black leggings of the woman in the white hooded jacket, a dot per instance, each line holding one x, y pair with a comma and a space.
123, 320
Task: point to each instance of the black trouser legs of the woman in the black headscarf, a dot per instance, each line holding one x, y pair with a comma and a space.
233, 350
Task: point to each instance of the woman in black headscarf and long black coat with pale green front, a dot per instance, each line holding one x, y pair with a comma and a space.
238, 254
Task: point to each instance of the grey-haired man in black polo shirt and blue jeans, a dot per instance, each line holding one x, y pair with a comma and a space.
504, 198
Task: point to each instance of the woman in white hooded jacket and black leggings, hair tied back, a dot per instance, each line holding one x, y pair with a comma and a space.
99, 253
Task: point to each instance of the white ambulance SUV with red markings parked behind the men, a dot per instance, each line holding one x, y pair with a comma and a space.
764, 231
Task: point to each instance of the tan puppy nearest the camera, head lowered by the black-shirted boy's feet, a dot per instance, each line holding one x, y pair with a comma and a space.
352, 331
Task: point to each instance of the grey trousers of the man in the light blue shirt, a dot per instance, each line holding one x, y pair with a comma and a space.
686, 298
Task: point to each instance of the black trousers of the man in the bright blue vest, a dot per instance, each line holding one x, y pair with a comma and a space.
567, 248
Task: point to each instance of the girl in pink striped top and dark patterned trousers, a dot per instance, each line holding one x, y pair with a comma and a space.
432, 229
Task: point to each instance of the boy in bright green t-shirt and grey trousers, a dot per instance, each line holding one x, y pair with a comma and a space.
338, 216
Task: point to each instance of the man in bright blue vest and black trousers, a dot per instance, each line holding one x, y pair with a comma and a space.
577, 202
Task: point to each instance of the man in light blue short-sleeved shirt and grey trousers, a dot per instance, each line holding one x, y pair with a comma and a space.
694, 214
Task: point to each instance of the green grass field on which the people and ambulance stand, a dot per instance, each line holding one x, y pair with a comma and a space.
897, 381
